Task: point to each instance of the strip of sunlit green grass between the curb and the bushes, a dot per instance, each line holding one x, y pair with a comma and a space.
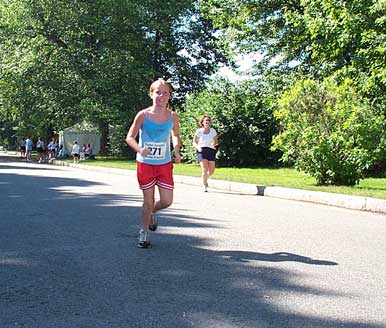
284, 177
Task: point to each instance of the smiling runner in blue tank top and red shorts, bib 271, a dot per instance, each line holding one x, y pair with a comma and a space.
154, 161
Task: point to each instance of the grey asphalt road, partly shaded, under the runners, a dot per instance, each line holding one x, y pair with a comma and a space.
68, 257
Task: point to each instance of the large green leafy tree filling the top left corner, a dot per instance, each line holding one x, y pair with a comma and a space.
61, 62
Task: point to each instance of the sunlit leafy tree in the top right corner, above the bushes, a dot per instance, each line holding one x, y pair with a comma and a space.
314, 39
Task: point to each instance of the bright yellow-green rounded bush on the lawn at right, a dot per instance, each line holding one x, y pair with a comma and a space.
328, 131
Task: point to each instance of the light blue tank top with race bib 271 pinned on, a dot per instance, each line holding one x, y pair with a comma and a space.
156, 137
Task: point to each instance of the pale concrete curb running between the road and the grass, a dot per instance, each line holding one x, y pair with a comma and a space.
332, 199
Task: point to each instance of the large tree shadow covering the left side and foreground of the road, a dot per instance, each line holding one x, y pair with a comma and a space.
69, 259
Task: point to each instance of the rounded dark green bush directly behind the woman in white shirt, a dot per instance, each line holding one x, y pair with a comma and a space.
245, 126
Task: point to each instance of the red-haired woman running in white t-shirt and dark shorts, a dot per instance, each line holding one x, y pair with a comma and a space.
205, 141
